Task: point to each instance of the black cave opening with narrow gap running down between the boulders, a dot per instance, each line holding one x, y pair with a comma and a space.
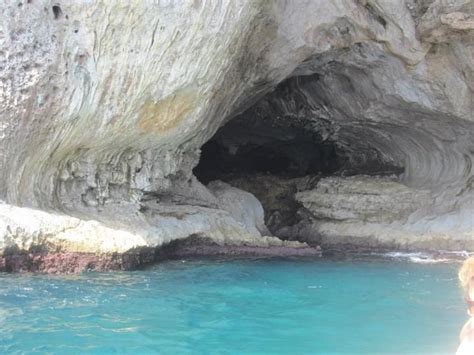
272, 159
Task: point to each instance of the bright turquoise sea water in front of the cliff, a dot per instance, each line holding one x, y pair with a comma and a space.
240, 306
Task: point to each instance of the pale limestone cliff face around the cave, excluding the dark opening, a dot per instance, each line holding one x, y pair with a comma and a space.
104, 106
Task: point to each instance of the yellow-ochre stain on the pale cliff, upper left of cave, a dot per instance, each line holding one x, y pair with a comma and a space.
165, 114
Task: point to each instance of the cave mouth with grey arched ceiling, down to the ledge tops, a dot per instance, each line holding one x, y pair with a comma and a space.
293, 132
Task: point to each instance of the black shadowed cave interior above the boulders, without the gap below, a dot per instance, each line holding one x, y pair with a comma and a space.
242, 148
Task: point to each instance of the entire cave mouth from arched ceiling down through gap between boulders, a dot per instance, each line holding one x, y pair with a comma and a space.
285, 144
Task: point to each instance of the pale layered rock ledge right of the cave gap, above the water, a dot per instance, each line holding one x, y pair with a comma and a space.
379, 212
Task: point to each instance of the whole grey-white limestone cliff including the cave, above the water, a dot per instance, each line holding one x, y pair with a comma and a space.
124, 127
